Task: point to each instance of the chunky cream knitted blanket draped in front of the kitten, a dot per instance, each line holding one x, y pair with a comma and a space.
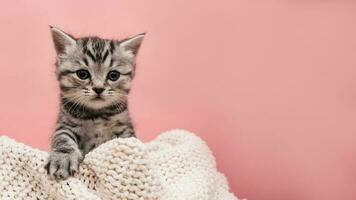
176, 165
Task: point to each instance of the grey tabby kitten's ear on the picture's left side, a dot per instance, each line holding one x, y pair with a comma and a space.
62, 41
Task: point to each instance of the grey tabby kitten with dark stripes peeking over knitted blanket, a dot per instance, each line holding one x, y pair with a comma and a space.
95, 77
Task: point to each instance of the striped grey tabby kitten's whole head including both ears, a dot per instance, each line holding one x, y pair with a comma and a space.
94, 72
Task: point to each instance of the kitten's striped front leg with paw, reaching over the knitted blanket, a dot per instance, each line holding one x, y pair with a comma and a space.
65, 155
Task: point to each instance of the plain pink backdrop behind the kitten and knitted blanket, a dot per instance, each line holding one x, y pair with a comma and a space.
270, 85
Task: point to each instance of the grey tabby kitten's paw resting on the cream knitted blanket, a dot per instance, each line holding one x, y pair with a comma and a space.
60, 166
